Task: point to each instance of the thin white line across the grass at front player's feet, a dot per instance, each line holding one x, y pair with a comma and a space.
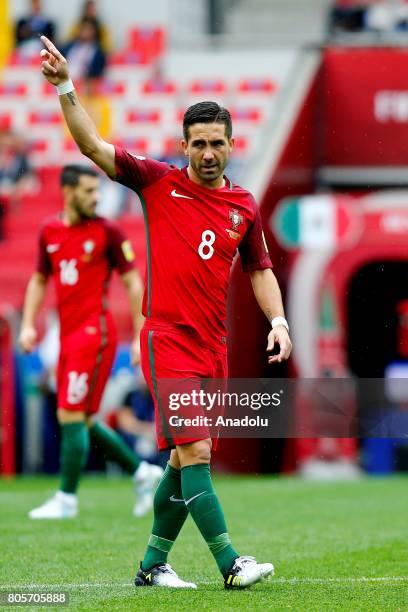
128, 585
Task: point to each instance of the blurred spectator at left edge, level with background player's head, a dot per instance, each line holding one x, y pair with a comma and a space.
16, 177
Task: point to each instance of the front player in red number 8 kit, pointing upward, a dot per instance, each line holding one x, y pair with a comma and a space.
196, 220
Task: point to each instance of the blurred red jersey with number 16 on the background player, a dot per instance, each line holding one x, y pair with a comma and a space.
80, 258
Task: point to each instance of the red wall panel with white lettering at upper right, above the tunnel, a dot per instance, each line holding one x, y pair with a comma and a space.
365, 101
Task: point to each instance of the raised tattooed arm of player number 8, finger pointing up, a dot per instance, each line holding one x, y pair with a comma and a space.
56, 71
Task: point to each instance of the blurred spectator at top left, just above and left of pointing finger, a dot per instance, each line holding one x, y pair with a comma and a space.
29, 28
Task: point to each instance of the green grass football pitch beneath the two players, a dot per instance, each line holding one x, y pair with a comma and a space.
337, 546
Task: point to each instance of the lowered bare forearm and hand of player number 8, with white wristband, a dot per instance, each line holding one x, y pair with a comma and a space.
269, 298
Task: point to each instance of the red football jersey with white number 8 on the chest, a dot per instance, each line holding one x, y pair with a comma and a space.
193, 234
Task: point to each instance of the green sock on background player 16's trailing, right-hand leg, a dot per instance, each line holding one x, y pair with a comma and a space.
113, 447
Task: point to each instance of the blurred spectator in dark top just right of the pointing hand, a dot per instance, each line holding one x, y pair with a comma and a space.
85, 54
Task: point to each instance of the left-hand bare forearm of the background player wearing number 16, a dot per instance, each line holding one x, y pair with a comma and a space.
33, 300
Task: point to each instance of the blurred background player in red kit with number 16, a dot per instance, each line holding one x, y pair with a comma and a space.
79, 250
